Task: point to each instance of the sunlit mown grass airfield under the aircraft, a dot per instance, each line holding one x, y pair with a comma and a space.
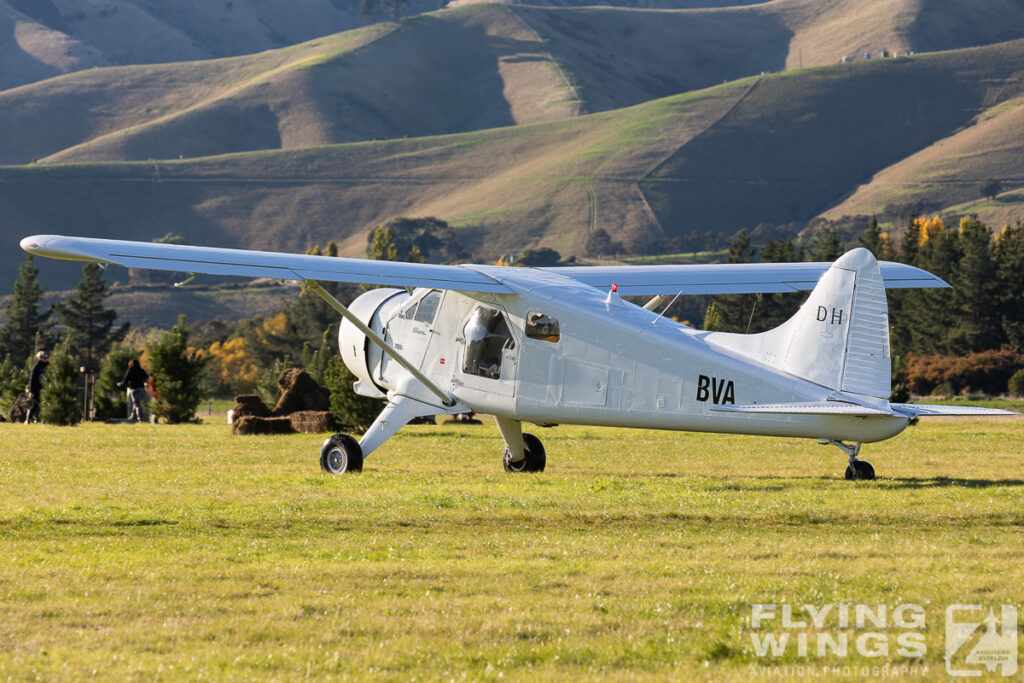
153, 552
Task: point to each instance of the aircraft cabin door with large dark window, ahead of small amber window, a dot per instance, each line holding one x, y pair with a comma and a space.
490, 357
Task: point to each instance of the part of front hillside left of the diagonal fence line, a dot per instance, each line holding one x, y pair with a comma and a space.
505, 189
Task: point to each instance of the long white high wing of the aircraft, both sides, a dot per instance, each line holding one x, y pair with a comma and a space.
637, 280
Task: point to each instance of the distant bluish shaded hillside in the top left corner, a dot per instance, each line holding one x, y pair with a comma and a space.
69, 36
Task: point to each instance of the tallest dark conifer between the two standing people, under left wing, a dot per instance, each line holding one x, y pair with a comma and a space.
90, 323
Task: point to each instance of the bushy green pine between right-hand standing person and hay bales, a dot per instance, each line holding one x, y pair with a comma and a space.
179, 374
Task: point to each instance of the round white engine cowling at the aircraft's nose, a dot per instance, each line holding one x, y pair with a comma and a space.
363, 357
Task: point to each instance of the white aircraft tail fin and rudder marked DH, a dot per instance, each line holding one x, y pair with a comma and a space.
839, 338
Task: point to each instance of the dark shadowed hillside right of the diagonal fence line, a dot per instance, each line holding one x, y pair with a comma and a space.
799, 143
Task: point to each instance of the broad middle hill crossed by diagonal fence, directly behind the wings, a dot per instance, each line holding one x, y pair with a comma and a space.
778, 149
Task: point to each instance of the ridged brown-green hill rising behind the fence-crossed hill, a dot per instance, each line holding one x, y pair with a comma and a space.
467, 69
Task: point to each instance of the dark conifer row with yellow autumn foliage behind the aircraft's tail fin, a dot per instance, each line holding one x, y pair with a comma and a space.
979, 322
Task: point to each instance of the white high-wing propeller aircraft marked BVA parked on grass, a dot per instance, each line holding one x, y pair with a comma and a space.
560, 346
